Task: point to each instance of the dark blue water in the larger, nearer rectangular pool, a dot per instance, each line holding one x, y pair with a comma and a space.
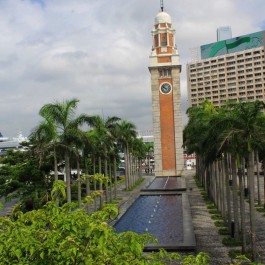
160, 215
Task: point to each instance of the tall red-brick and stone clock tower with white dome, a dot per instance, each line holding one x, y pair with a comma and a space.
166, 100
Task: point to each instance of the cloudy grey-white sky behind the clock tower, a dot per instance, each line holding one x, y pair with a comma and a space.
98, 51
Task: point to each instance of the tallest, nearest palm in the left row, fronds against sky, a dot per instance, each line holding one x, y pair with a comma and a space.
67, 125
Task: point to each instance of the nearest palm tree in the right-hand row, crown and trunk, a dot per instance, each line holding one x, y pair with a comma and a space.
245, 126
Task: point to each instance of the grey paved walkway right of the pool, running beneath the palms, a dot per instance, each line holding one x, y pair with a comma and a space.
208, 239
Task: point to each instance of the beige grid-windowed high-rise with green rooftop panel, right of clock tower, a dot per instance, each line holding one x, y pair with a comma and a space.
230, 70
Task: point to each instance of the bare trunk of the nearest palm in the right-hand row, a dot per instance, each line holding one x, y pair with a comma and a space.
252, 204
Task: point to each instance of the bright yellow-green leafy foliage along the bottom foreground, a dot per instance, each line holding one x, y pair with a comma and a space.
66, 235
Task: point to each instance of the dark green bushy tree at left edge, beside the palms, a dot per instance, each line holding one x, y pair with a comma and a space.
21, 176
